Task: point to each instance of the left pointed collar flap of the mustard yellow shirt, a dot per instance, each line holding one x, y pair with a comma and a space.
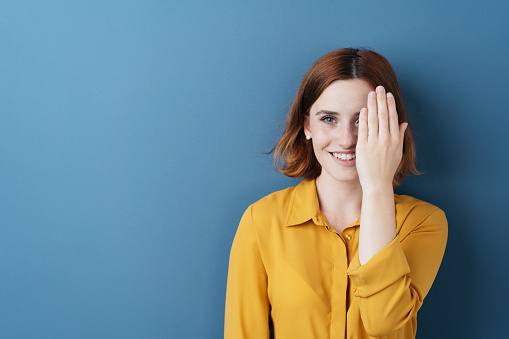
304, 205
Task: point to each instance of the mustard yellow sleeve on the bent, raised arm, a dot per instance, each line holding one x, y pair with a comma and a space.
391, 286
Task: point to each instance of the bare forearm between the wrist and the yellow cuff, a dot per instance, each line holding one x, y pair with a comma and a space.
378, 221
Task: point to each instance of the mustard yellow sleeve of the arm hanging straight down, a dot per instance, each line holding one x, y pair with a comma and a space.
247, 305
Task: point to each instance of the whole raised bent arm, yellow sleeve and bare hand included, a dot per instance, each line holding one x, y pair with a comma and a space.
391, 275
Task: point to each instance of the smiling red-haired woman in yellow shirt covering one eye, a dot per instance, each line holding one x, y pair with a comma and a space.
339, 255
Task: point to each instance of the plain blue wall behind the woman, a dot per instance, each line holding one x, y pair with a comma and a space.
130, 140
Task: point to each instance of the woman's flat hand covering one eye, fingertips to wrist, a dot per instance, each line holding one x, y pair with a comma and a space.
380, 141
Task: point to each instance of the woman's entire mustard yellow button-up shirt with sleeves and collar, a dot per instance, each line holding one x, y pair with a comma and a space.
288, 267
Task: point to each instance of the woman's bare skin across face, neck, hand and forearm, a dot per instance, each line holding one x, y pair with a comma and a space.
352, 117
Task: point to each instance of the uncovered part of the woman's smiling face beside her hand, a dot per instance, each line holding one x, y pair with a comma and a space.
332, 125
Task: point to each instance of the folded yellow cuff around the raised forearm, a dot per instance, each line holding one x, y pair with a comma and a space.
382, 270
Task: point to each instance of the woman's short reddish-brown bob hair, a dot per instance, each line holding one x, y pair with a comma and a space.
293, 155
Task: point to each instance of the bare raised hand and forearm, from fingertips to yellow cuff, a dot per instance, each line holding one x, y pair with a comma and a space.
379, 152
